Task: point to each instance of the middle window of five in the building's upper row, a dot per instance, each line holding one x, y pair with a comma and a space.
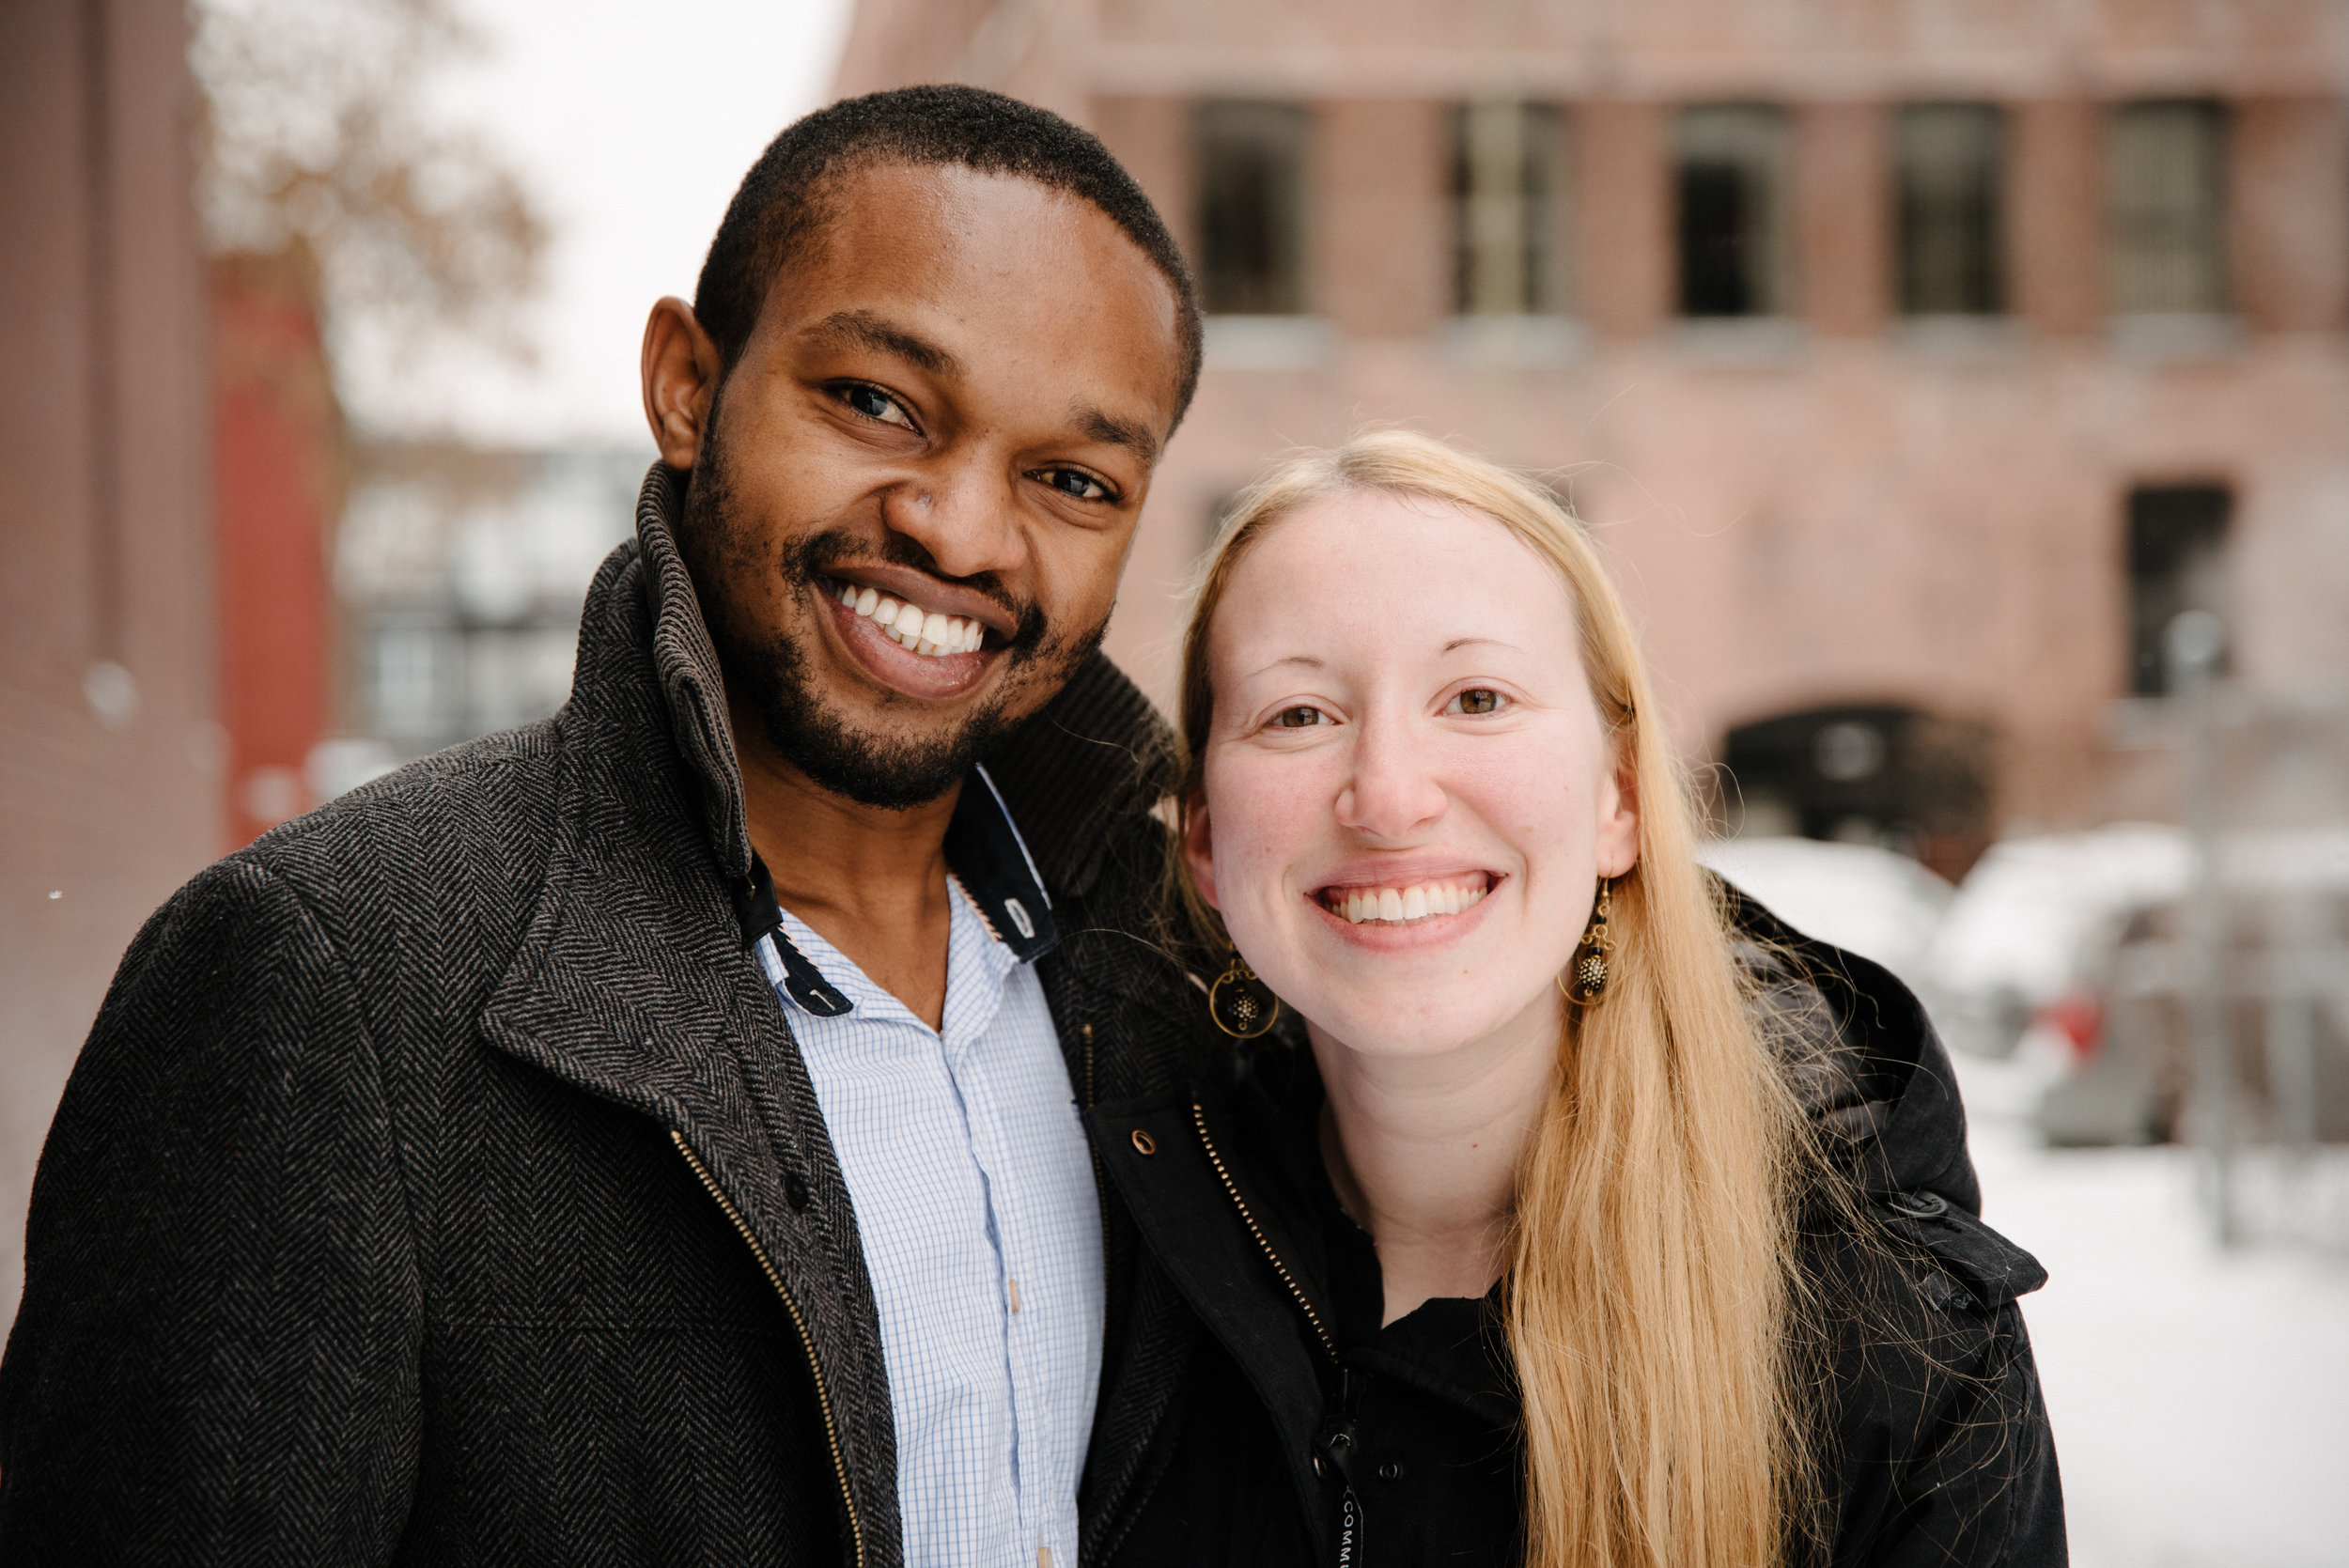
1732, 212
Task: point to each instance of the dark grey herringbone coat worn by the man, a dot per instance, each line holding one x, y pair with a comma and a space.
440, 1182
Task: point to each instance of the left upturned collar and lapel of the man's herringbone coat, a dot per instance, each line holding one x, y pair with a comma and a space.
633, 982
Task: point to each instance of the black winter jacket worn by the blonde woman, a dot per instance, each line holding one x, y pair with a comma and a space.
1312, 1435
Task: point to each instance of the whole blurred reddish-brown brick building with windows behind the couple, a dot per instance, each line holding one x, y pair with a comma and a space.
1916, 363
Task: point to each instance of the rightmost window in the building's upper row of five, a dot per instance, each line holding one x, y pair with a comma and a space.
2167, 189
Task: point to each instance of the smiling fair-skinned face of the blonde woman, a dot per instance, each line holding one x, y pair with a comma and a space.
1408, 788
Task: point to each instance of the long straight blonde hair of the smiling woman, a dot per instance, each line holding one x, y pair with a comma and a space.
1653, 1273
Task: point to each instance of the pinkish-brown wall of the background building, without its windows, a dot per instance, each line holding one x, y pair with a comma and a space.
1847, 511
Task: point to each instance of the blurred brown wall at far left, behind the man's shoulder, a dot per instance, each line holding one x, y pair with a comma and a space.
109, 750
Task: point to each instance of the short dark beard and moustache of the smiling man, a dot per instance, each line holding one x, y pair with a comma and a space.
774, 673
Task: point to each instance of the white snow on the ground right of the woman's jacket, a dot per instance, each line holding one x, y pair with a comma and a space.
2200, 1395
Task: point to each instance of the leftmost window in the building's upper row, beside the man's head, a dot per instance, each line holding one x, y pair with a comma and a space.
1251, 208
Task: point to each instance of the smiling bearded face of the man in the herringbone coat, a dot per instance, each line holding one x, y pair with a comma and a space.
922, 478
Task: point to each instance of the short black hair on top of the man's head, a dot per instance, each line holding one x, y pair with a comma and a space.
781, 201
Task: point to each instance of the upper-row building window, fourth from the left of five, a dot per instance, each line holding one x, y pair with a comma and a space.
1951, 161
